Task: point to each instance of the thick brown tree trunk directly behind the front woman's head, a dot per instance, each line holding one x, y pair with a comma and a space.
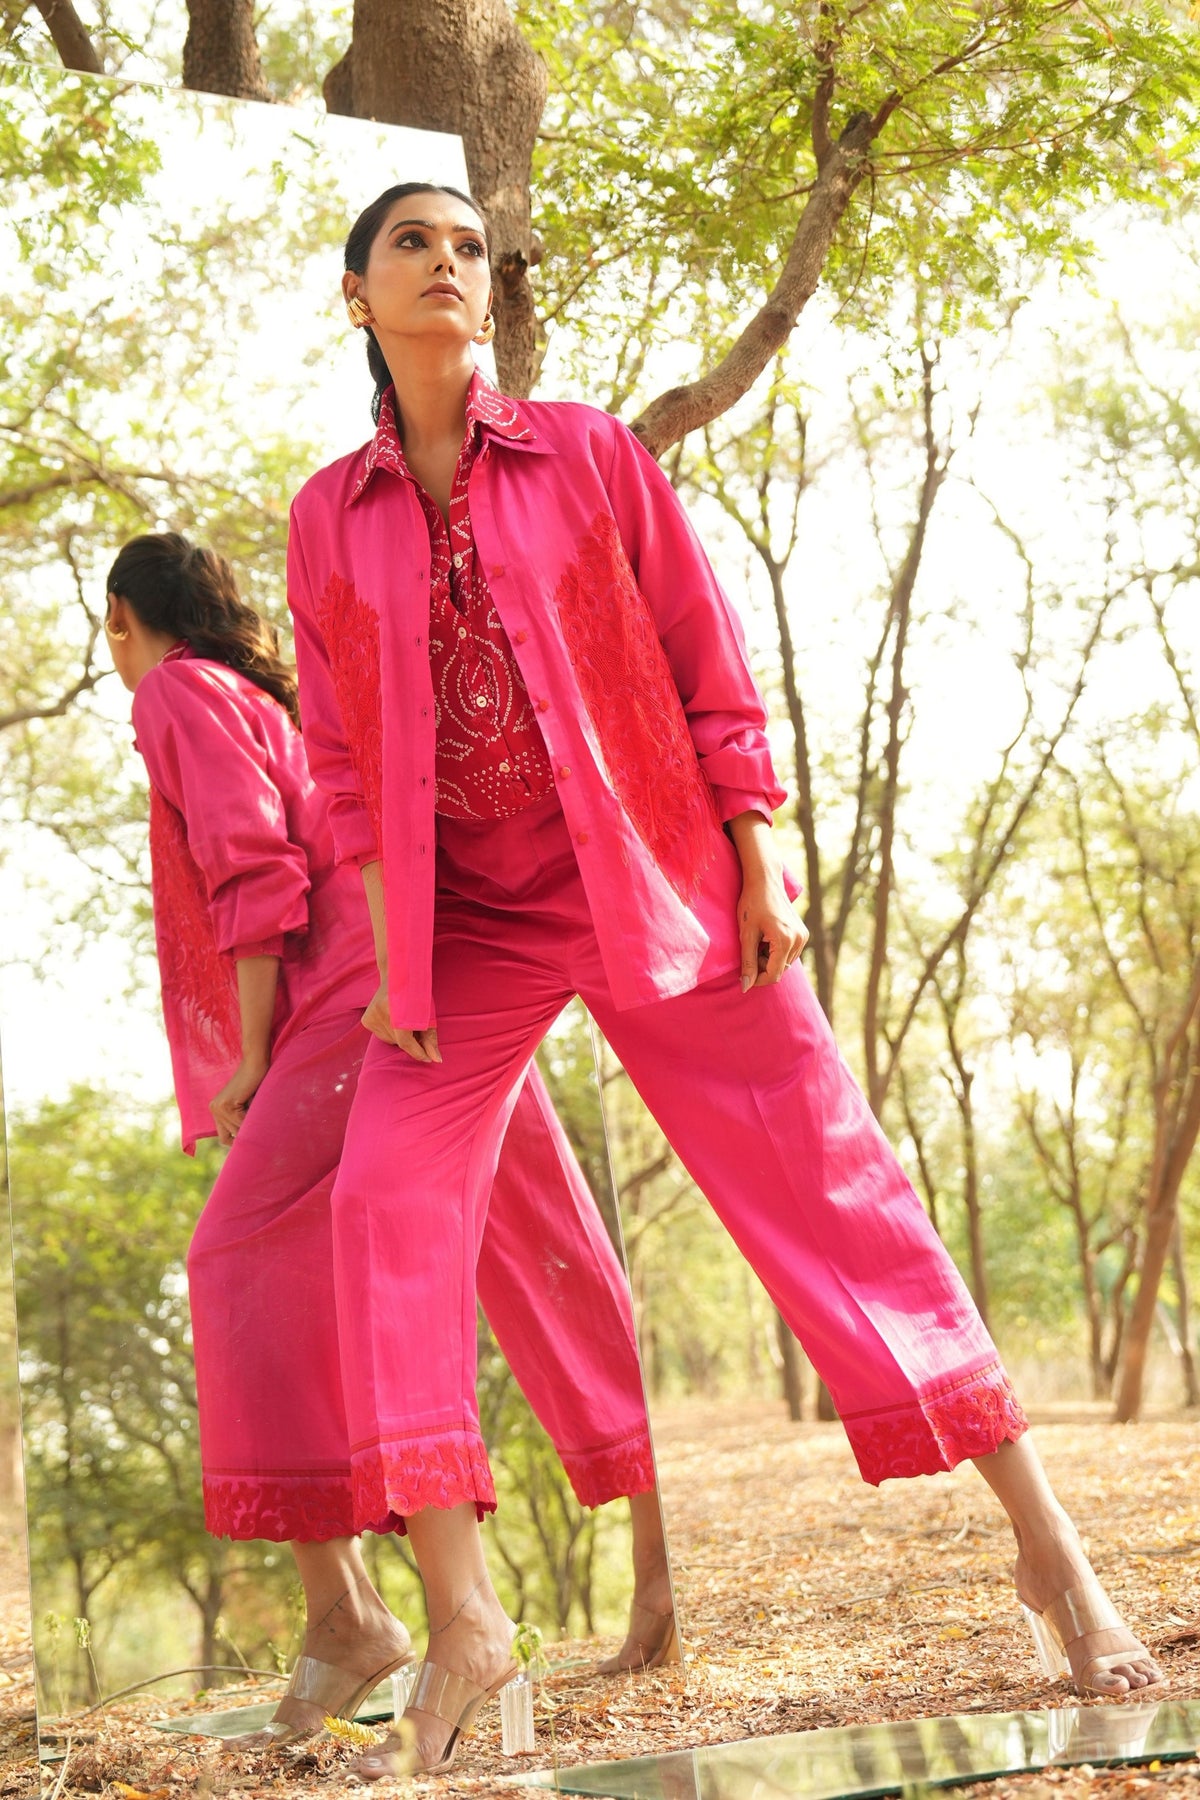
463, 67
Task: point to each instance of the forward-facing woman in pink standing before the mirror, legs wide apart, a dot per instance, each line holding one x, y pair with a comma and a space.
530, 699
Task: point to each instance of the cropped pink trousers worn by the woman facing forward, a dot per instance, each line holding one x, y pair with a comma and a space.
764, 1113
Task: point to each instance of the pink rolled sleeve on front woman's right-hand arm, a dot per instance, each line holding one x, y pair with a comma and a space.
701, 633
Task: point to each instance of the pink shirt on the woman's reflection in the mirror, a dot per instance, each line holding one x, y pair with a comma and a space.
244, 865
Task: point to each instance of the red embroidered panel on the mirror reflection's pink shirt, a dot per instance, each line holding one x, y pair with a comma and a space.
195, 976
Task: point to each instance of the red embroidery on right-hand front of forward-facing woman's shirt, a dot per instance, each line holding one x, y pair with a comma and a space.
634, 705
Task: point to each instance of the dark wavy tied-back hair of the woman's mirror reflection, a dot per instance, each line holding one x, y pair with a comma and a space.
192, 593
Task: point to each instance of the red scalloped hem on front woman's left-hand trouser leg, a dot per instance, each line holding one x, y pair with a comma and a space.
400, 1477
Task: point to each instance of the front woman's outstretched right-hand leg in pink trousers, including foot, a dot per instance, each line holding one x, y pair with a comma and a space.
762, 1110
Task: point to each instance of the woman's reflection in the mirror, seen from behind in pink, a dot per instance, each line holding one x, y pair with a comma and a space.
267, 964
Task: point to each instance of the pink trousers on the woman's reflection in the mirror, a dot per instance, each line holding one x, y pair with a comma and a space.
273, 1416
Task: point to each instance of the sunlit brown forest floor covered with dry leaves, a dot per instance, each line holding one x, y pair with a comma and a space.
807, 1601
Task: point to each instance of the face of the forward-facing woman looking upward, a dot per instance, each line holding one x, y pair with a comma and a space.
427, 274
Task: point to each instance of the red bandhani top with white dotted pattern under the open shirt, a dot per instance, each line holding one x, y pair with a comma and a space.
490, 759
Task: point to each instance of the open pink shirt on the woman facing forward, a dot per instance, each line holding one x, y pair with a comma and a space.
631, 652
